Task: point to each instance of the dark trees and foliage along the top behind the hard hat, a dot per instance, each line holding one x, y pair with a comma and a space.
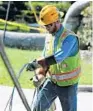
22, 11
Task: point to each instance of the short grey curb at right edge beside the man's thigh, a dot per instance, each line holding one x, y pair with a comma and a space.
85, 88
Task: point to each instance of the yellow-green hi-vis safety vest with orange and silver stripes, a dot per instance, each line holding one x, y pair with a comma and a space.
68, 71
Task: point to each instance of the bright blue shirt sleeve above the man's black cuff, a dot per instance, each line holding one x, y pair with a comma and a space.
68, 48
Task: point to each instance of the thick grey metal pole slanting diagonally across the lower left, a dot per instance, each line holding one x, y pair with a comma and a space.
12, 75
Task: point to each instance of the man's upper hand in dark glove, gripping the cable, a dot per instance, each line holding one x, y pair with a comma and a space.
32, 66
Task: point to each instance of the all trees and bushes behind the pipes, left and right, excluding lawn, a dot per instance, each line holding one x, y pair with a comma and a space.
23, 12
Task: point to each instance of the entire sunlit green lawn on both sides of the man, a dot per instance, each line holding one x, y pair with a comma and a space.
19, 57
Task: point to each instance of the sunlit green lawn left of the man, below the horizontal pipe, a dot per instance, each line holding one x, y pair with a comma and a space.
18, 58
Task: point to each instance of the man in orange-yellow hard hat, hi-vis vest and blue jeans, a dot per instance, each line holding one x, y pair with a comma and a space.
61, 59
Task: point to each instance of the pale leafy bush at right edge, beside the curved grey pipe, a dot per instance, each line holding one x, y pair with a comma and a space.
85, 29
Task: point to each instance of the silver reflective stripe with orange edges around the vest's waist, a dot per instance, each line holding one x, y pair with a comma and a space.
67, 75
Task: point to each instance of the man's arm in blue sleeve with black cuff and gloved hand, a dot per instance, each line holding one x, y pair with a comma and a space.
68, 48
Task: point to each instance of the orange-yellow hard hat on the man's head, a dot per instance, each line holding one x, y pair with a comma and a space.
48, 15
